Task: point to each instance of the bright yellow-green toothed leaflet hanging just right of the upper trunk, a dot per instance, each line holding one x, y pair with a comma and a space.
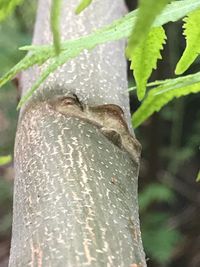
144, 58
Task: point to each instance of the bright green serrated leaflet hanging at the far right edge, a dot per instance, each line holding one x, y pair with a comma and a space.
192, 34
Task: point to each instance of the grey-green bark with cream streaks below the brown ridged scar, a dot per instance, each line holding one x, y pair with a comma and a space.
59, 189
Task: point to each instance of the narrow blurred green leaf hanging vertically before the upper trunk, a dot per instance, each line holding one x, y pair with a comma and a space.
55, 16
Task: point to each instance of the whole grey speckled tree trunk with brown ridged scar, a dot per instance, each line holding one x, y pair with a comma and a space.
76, 163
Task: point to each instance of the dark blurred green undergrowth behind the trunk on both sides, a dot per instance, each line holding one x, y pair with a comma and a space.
168, 192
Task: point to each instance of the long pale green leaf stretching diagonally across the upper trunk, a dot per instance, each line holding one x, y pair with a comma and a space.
119, 29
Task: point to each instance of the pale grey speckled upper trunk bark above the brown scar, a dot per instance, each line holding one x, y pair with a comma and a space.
98, 76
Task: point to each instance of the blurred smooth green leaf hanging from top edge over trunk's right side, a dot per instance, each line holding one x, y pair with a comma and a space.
148, 11
